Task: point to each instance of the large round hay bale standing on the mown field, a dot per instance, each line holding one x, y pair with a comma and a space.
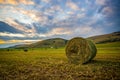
80, 50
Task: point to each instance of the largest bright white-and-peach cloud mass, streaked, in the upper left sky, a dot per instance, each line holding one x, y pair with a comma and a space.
22, 19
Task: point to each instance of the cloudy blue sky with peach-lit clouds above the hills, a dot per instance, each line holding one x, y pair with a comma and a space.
43, 19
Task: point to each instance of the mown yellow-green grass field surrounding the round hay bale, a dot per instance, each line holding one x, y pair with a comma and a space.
52, 64
